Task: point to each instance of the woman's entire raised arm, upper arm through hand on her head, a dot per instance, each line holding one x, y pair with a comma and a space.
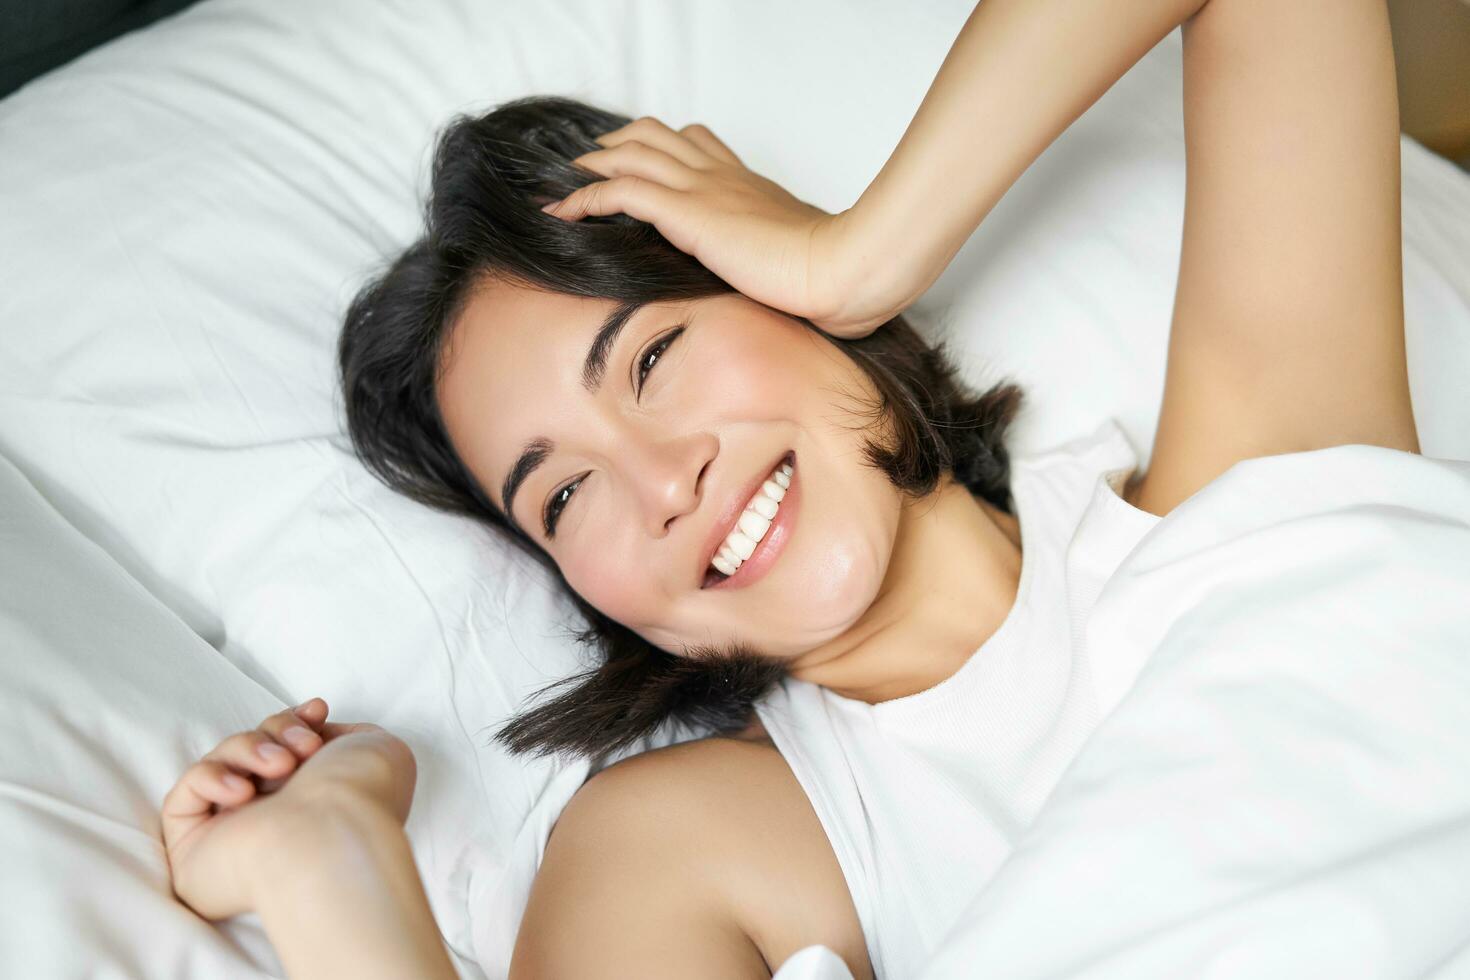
1288, 330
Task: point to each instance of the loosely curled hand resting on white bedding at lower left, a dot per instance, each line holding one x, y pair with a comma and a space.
273, 790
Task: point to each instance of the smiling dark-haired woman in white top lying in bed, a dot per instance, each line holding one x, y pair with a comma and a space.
781, 514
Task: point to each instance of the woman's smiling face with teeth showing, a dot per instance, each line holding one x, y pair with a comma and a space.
646, 466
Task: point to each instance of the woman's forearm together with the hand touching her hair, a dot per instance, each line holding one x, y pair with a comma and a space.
1019, 73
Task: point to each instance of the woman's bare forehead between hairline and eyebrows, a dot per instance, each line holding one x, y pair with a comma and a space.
512, 370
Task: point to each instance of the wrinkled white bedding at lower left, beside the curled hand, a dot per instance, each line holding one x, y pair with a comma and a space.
104, 691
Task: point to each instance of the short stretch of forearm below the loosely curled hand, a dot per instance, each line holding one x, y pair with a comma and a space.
348, 903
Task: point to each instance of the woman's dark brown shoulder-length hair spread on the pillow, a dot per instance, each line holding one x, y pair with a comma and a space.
490, 179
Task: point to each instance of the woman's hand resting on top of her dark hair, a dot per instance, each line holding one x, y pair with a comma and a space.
742, 227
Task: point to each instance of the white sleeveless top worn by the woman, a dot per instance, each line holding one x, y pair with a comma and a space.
924, 797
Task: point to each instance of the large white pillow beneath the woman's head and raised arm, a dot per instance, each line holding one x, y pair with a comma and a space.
190, 208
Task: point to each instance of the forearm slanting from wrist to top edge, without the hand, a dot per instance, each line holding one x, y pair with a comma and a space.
1018, 76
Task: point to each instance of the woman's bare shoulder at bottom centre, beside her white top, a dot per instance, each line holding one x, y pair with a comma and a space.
702, 859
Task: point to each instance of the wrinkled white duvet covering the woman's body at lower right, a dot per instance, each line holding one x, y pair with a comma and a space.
1283, 791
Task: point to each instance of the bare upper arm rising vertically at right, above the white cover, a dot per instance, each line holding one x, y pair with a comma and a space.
1288, 328
